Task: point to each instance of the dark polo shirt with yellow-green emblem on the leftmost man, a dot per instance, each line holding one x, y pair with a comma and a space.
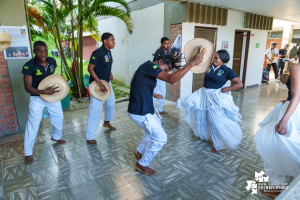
38, 72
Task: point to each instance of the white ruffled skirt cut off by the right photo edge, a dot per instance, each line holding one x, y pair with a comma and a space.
281, 154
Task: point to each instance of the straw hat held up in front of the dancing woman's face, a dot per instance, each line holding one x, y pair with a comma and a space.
193, 47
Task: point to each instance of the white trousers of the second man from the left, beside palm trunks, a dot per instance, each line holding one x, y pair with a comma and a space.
95, 111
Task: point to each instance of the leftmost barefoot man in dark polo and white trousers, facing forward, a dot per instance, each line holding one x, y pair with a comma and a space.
35, 70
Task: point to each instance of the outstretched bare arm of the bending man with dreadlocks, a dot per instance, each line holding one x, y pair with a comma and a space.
173, 78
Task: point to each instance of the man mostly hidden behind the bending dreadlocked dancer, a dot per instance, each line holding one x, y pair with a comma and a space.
160, 89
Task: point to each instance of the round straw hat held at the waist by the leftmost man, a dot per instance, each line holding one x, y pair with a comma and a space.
56, 81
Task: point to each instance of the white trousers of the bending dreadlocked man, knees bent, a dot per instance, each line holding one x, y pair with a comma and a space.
154, 139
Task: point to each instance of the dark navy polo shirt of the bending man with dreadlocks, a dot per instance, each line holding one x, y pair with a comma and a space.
143, 83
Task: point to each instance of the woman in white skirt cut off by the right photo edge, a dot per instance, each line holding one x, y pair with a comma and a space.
278, 139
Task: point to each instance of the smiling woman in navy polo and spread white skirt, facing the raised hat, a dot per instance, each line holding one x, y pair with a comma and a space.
210, 111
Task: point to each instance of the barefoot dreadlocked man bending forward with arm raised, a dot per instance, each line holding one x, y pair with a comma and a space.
141, 109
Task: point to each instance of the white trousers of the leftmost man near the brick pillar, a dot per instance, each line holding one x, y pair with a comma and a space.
36, 106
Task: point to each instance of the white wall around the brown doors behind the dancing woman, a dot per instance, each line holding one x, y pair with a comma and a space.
227, 33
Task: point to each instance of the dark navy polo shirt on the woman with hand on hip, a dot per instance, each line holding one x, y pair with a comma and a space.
215, 79
